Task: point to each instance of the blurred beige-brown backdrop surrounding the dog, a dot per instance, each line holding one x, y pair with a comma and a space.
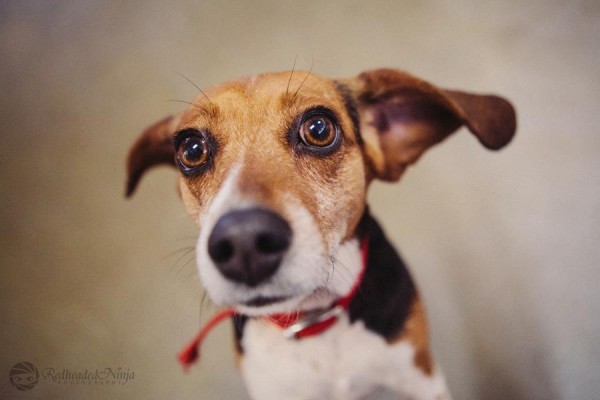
504, 246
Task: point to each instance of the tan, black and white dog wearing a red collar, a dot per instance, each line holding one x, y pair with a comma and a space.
274, 169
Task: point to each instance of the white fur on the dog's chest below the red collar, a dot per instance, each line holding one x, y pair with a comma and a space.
346, 362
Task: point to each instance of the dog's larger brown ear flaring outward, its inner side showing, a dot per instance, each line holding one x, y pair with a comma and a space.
401, 116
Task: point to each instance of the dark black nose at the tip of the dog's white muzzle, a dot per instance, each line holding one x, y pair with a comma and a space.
247, 245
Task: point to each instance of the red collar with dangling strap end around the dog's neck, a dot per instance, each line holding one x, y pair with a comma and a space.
296, 325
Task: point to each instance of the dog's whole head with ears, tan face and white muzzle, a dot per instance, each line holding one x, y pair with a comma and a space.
274, 169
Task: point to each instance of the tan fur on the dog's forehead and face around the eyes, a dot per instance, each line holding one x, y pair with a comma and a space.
256, 114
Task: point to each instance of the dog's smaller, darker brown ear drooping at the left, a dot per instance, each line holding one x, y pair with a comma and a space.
153, 147
